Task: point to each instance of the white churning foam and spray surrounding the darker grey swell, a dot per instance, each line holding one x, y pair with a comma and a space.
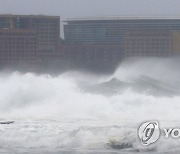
55, 112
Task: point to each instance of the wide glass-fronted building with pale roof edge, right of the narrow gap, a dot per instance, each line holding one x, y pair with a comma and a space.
135, 36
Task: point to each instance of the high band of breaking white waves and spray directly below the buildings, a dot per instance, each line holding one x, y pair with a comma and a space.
43, 96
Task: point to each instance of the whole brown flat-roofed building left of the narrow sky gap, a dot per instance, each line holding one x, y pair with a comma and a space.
28, 39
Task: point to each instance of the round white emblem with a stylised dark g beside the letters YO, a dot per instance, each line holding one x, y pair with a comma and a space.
149, 132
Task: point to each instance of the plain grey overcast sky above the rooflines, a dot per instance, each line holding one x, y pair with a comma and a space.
85, 8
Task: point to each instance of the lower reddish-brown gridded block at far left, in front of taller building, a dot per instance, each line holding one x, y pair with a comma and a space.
18, 48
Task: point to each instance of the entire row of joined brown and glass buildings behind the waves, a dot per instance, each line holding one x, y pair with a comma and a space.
101, 43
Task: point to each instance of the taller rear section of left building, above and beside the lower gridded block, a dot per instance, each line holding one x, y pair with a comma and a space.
47, 28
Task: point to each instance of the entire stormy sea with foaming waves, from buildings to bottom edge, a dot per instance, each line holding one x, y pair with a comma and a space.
80, 112
